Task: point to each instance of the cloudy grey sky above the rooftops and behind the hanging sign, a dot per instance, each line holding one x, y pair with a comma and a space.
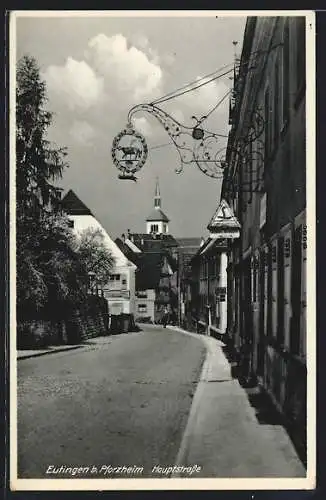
96, 68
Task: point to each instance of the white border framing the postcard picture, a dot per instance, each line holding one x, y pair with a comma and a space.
175, 484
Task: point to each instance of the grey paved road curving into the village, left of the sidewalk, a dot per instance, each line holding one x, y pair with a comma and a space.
124, 400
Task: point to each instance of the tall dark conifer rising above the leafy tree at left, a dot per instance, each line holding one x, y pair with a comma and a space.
38, 163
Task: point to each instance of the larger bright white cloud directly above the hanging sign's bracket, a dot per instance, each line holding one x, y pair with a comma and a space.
124, 67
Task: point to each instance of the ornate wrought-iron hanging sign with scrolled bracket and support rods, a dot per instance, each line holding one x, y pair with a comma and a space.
195, 144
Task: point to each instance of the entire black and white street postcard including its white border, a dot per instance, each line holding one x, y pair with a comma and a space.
162, 250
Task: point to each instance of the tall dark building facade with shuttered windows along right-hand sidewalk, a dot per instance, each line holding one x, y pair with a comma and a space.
264, 183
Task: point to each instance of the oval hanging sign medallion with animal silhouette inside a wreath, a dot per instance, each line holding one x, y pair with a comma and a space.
129, 150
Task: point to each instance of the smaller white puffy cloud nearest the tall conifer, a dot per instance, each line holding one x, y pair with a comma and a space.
75, 82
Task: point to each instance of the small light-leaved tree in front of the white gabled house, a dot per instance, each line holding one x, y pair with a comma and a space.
95, 256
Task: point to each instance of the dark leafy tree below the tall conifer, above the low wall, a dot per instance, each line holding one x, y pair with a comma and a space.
48, 267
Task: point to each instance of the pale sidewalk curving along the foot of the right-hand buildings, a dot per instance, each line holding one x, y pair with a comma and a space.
223, 434
